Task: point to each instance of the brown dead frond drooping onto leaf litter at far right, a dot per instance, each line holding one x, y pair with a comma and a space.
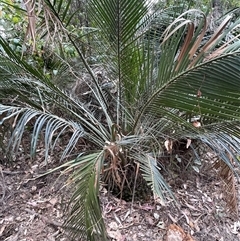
229, 187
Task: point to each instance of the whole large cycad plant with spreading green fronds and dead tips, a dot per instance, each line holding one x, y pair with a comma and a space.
167, 81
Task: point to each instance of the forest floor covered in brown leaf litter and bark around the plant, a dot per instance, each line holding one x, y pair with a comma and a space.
32, 209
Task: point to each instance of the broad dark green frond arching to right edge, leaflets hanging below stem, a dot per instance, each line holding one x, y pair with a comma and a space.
210, 90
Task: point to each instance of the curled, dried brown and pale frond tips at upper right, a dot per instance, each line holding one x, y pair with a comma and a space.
190, 52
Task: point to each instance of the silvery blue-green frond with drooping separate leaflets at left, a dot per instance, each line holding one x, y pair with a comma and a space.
52, 126
